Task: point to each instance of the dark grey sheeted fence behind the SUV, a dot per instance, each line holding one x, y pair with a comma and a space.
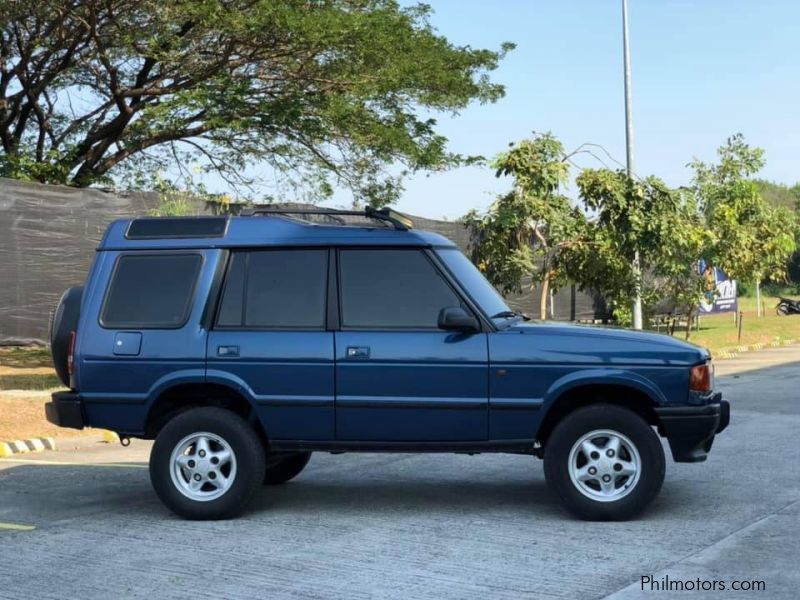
48, 235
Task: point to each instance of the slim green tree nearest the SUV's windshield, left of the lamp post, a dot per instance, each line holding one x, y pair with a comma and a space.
527, 231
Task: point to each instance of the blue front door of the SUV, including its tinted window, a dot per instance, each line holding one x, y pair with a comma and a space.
399, 377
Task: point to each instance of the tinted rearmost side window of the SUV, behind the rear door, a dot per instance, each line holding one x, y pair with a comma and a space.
151, 290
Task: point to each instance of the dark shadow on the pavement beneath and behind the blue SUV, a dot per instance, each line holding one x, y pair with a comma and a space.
30, 493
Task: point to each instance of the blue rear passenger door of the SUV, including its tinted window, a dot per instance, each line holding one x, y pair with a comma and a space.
270, 339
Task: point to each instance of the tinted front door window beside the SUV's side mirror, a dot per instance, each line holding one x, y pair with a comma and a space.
392, 288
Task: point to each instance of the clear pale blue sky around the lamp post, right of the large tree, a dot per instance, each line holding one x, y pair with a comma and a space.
702, 70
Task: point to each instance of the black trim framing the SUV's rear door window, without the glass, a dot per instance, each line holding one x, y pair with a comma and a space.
247, 252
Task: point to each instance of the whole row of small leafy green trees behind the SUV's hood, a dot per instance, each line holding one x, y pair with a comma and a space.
533, 230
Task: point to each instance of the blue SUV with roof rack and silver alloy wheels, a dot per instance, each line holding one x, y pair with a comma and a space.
243, 344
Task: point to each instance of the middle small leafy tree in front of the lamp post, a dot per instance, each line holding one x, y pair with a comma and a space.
663, 224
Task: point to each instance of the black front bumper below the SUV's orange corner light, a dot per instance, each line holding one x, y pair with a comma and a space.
690, 430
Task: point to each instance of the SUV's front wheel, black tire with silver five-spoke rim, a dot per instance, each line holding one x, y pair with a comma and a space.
635, 473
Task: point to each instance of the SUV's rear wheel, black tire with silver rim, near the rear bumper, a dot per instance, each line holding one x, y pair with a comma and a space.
226, 486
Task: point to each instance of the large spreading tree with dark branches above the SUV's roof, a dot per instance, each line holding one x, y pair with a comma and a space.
325, 92
